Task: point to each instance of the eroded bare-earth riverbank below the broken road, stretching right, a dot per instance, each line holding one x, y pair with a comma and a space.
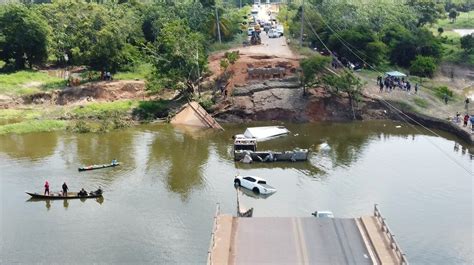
284, 101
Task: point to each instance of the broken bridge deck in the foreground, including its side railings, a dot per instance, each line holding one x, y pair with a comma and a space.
303, 240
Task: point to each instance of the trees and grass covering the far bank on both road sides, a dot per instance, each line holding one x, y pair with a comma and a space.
148, 50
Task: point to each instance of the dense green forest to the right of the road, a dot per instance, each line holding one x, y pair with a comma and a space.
373, 33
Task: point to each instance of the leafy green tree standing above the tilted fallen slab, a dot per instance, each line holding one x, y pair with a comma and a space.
179, 58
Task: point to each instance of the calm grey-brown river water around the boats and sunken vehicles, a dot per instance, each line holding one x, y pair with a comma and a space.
158, 206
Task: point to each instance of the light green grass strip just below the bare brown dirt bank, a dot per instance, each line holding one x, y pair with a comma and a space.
99, 110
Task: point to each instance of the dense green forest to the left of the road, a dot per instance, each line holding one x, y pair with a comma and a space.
174, 36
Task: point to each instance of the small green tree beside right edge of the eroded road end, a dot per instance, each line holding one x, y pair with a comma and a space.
311, 68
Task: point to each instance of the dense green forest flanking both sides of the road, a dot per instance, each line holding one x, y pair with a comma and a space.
176, 36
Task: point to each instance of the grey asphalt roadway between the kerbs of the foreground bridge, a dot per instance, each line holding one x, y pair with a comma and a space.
298, 241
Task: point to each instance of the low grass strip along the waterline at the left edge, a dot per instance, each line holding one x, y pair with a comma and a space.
33, 126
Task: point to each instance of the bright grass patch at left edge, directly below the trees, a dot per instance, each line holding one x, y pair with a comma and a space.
27, 82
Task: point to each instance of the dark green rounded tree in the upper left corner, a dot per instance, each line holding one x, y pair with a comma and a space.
24, 36
